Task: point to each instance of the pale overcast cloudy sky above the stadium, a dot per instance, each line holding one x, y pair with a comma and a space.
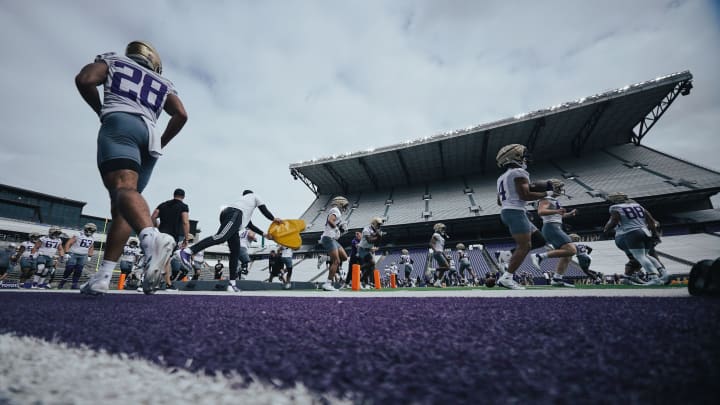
269, 83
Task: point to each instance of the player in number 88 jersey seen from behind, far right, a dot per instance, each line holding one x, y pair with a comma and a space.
634, 227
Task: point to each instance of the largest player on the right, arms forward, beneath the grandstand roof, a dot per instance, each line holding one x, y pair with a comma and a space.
513, 192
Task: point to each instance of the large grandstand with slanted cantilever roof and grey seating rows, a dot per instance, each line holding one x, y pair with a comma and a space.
594, 144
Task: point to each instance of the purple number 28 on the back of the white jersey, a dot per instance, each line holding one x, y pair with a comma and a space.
147, 83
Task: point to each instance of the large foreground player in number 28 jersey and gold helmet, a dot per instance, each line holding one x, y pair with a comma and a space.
134, 95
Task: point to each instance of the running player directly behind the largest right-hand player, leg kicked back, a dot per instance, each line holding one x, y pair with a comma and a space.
552, 214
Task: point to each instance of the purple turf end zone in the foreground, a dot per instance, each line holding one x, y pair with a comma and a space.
419, 350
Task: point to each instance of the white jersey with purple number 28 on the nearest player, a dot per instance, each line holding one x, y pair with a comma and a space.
133, 88
